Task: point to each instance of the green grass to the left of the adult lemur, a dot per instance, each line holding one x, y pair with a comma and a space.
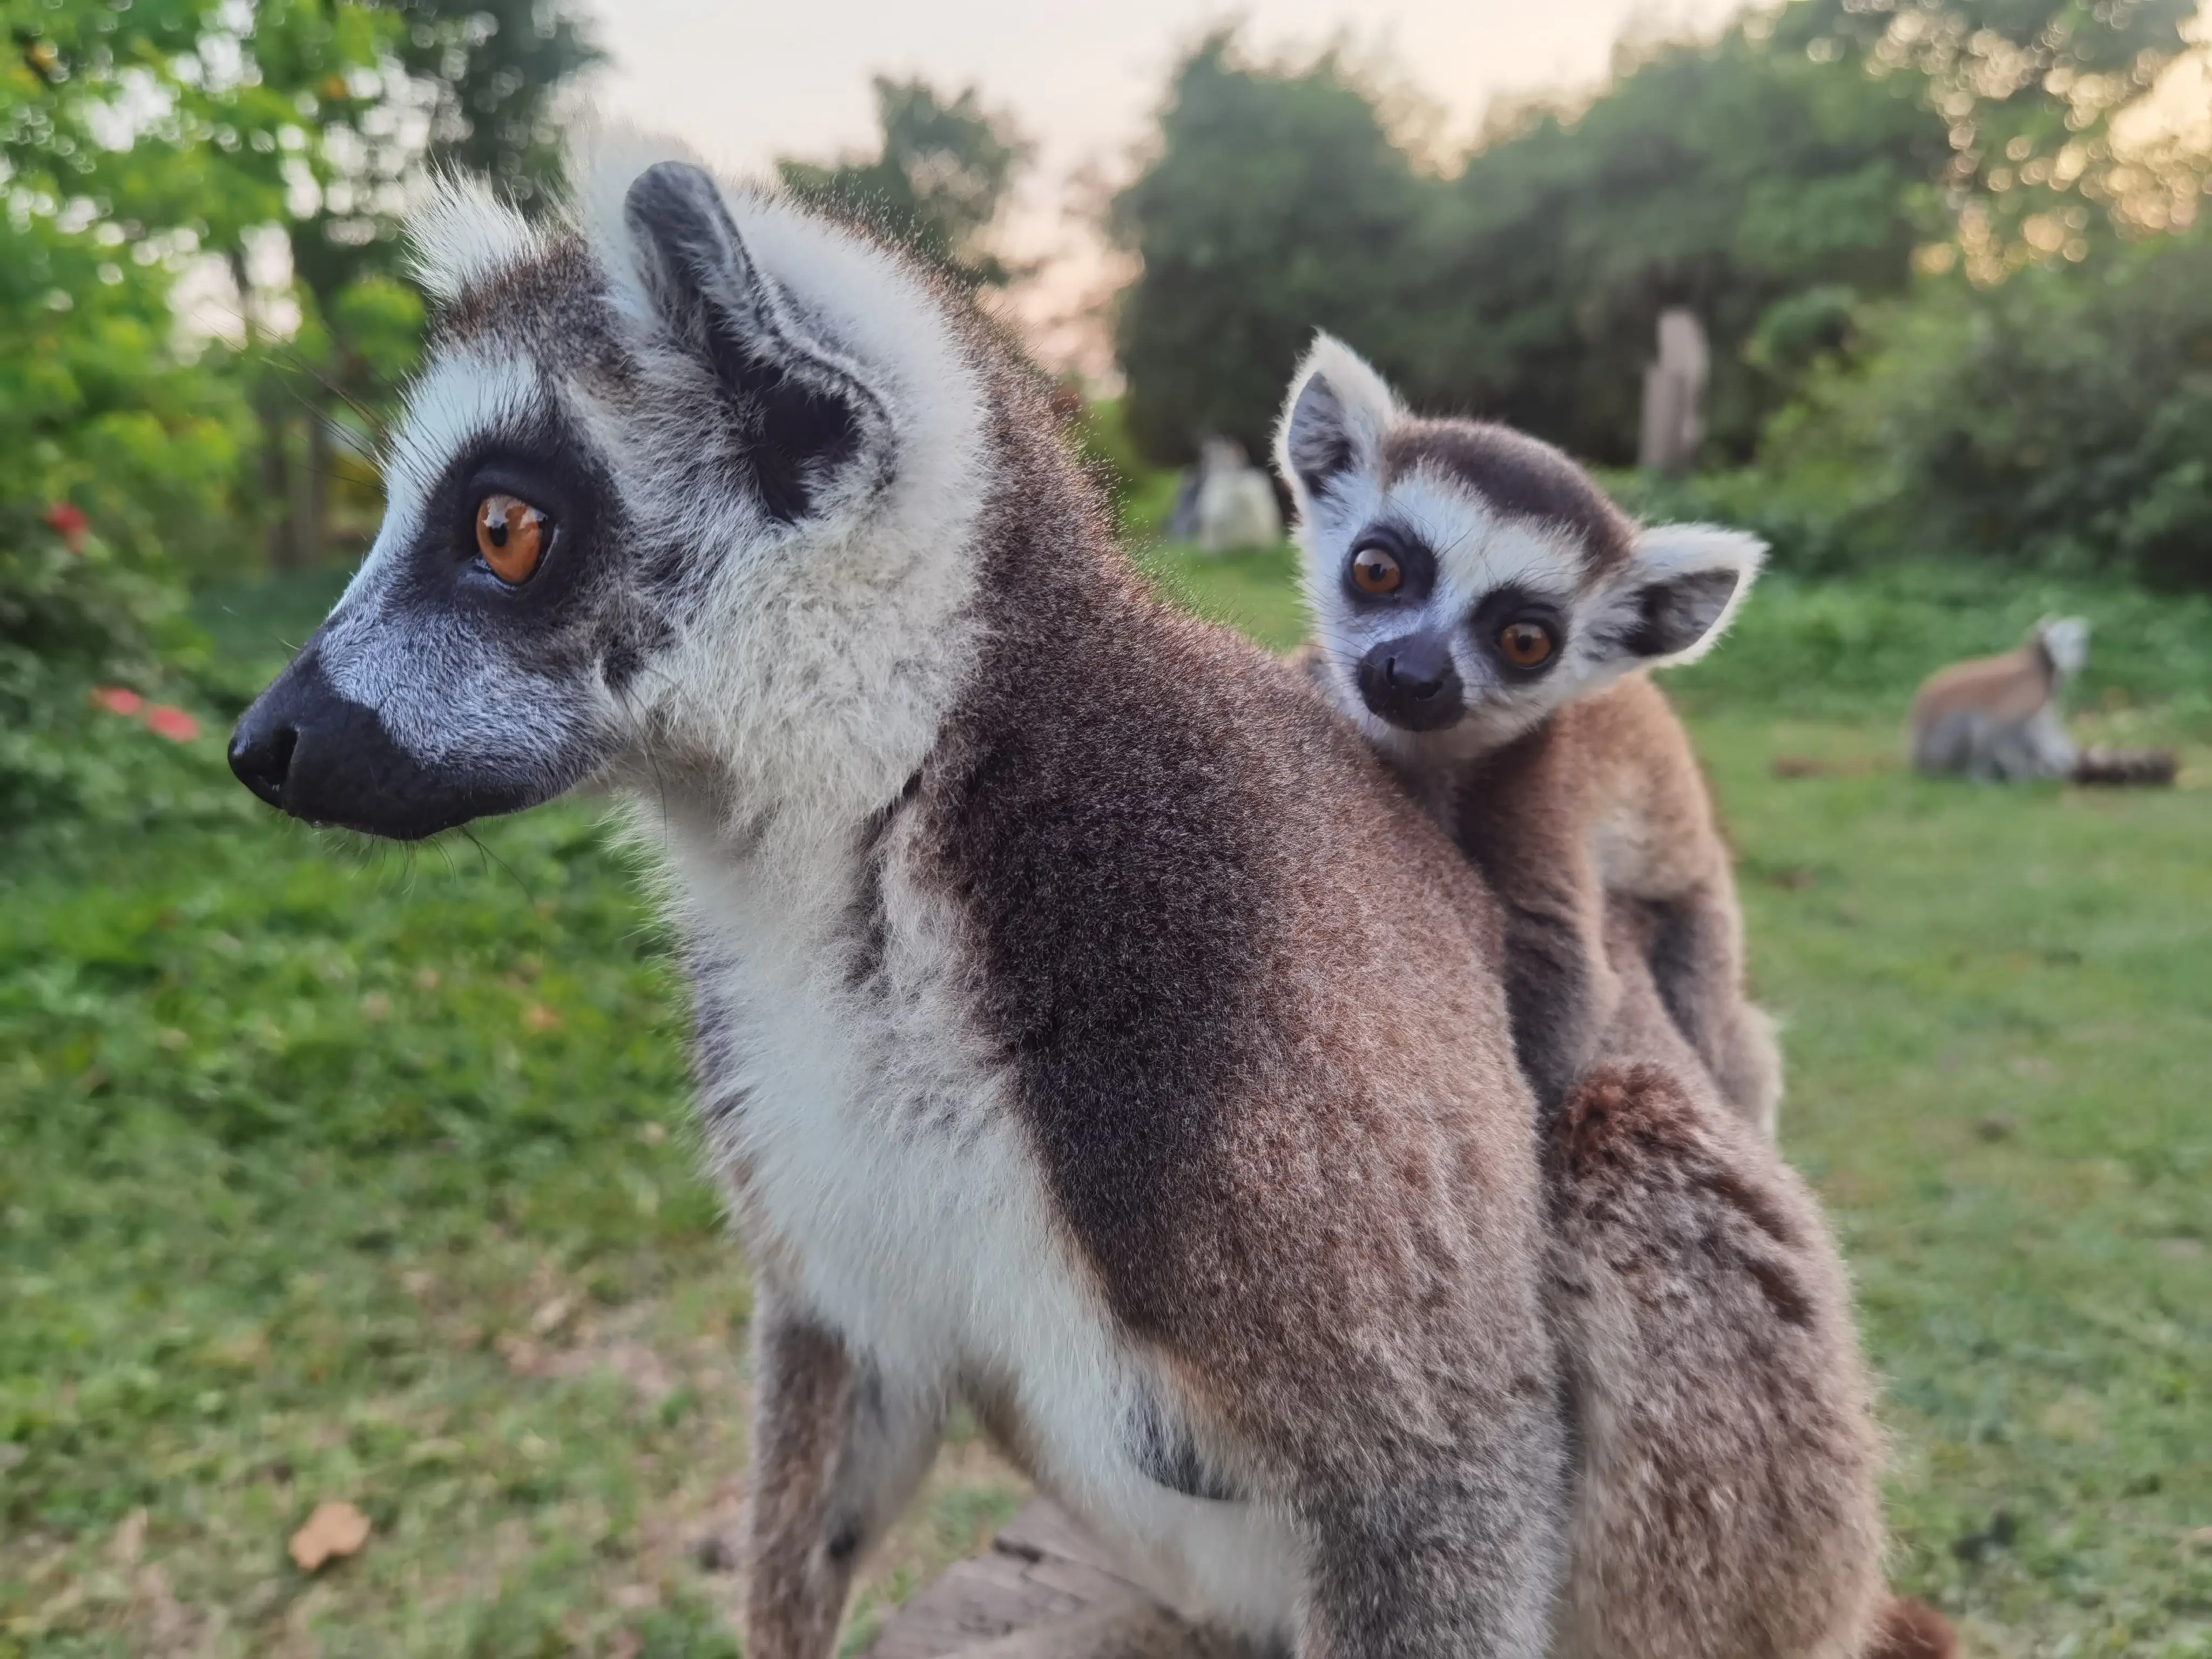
340, 1176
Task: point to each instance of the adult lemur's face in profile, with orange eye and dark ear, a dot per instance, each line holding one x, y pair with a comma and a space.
612, 461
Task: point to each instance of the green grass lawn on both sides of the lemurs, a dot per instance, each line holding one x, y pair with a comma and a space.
331, 1173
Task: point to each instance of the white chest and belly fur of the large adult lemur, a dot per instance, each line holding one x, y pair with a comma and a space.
893, 1173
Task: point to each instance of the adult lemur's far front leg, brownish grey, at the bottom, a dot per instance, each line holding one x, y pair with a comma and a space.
837, 1452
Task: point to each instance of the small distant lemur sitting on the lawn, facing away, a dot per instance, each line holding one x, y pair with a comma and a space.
1996, 720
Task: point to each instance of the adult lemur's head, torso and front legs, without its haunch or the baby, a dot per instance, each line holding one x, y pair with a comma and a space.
1087, 1025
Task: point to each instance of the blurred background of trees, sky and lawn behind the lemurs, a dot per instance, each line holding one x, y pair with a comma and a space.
355, 1178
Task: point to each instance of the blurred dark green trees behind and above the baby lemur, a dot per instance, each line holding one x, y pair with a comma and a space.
1773, 180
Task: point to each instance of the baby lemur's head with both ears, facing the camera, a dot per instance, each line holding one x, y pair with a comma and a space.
1470, 581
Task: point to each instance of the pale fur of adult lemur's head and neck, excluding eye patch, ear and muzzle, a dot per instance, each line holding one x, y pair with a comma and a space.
747, 618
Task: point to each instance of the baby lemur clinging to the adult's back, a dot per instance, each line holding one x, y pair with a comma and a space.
1483, 614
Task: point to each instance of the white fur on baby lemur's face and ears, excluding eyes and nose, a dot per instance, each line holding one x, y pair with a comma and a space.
1331, 448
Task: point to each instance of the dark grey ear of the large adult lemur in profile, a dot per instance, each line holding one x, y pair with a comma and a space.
804, 415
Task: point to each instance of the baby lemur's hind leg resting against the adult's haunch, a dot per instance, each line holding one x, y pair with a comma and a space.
1698, 963
